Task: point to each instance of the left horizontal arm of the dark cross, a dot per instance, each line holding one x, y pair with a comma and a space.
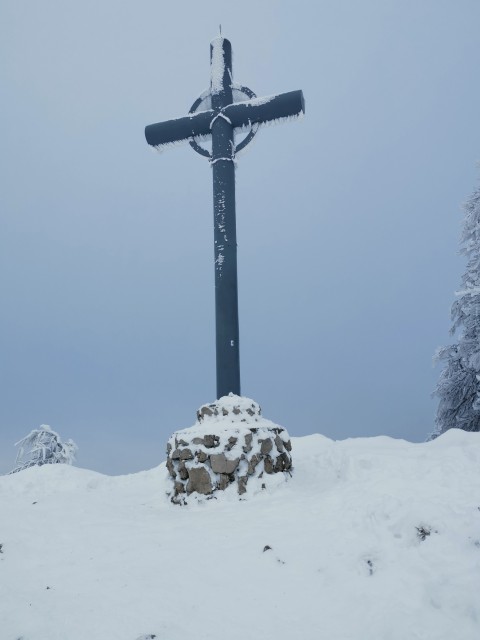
180, 129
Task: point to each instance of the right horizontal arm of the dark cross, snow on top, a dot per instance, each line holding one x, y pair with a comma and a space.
263, 110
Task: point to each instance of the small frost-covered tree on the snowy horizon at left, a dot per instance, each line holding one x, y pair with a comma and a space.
43, 446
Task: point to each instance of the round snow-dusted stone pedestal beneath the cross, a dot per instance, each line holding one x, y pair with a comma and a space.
230, 444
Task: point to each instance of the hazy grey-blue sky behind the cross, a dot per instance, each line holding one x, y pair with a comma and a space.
348, 221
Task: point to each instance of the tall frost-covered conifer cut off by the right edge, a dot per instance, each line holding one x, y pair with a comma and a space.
458, 388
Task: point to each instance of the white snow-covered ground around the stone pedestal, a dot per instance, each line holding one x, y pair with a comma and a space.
370, 539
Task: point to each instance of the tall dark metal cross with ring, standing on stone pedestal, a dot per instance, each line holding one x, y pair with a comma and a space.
221, 112
